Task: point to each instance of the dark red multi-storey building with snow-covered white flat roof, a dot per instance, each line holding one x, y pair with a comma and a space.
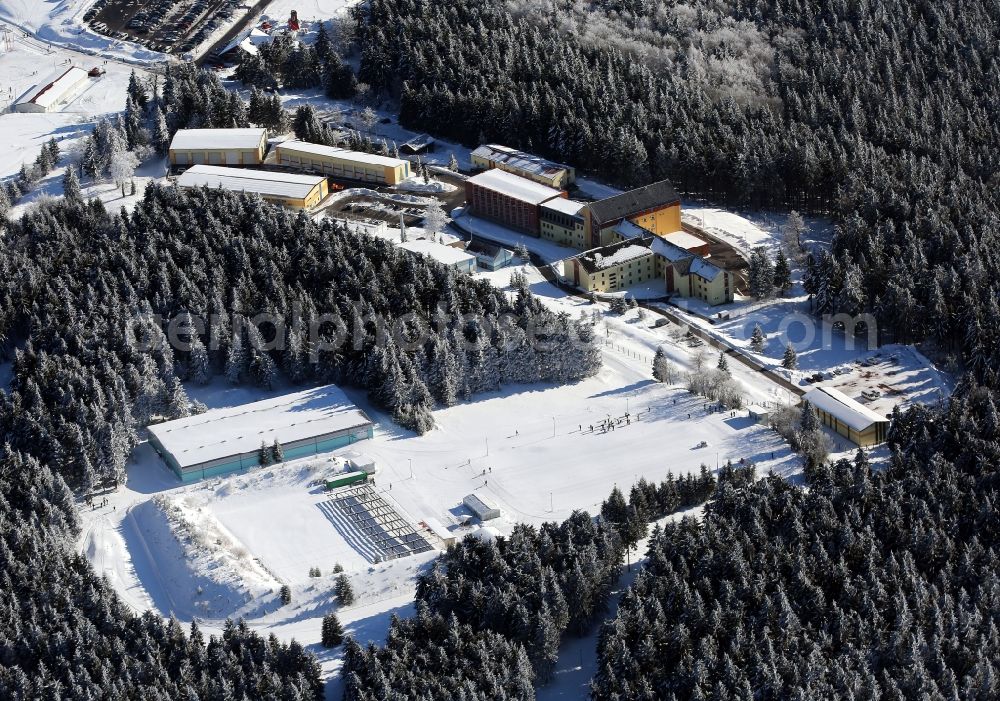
508, 199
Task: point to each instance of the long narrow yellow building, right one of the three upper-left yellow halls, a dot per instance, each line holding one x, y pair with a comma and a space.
342, 163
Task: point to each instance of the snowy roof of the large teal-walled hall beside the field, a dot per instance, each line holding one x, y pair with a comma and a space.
221, 433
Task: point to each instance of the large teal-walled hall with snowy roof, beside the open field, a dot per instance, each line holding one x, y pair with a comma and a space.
227, 440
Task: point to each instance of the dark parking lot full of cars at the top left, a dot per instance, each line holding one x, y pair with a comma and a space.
162, 25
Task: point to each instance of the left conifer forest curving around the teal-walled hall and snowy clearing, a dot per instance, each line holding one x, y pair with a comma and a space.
81, 288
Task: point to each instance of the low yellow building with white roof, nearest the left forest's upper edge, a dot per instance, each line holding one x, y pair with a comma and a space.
285, 189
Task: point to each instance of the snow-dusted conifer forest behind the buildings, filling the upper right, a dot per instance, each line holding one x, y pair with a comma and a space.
883, 113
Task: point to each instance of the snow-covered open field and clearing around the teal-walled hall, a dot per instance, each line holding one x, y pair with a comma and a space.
530, 448
